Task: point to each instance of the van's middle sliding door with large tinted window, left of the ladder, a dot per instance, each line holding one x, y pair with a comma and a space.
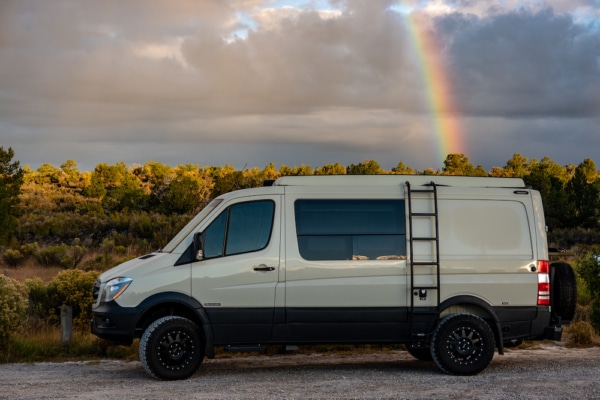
345, 270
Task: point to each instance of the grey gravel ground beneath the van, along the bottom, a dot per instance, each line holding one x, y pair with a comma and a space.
547, 371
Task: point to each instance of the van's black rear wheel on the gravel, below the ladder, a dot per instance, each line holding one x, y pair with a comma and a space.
462, 344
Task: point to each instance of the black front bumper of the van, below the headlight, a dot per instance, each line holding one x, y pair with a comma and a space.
114, 323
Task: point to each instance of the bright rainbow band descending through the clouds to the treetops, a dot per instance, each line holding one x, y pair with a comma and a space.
438, 89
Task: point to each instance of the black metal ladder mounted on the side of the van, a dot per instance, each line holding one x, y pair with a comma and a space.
424, 228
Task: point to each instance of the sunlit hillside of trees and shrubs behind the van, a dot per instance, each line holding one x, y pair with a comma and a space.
76, 224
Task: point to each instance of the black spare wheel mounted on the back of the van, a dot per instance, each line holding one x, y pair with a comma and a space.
563, 290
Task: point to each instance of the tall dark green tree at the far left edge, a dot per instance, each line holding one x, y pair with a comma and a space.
11, 179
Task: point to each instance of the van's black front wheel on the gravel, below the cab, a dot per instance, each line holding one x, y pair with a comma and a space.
171, 348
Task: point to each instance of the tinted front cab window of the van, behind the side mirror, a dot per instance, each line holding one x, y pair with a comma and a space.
241, 228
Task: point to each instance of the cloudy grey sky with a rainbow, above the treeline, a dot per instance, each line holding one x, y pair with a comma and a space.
250, 82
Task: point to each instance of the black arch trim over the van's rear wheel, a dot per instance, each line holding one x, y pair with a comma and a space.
476, 306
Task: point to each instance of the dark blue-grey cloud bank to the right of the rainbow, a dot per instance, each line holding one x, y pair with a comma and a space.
524, 64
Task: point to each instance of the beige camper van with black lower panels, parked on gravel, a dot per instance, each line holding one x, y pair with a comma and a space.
452, 267
